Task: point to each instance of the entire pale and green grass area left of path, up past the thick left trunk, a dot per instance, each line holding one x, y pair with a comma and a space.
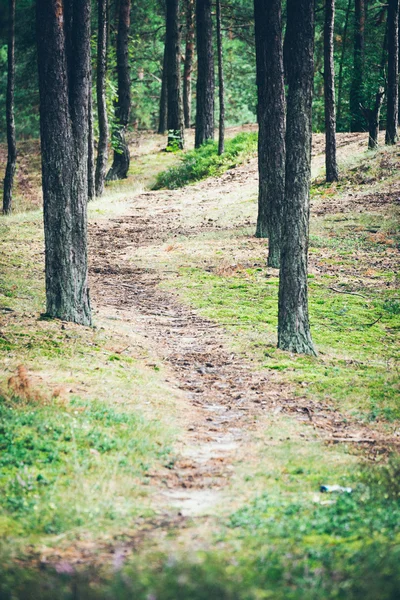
79, 437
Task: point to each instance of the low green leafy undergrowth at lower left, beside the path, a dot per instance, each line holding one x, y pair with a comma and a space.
65, 466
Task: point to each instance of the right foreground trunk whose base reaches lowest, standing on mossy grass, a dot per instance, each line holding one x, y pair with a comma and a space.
293, 324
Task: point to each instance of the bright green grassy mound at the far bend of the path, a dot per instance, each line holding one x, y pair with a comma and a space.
205, 162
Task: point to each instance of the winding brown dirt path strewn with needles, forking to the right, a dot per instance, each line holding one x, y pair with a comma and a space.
224, 400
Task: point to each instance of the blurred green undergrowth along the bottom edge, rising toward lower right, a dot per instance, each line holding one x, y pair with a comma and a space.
276, 546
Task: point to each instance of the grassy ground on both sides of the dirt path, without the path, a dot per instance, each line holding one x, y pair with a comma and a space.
280, 541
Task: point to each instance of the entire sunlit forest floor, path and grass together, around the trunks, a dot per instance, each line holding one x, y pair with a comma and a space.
223, 441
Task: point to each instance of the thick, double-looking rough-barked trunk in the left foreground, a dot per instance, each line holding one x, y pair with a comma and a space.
63, 38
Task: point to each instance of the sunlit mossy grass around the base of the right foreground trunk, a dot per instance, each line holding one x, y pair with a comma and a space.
357, 365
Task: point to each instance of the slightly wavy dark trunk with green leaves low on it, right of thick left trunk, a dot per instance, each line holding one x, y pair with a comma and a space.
121, 160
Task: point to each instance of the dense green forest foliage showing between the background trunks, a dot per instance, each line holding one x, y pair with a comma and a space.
146, 49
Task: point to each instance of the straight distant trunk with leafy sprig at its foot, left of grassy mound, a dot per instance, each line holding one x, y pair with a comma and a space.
175, 111
